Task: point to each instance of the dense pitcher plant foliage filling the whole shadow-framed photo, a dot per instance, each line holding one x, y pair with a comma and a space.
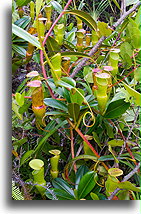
76, 99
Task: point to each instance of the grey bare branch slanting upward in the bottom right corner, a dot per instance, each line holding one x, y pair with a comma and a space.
125, 179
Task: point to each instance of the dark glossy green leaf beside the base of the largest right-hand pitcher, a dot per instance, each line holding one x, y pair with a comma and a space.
116, 109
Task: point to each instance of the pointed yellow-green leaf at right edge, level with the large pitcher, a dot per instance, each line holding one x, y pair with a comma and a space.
133, 93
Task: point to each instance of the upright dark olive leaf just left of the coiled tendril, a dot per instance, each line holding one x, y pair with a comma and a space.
74, 110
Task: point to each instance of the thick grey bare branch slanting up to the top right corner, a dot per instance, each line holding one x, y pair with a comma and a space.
98, 44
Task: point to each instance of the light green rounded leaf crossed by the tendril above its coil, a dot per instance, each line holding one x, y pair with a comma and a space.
76, 97
